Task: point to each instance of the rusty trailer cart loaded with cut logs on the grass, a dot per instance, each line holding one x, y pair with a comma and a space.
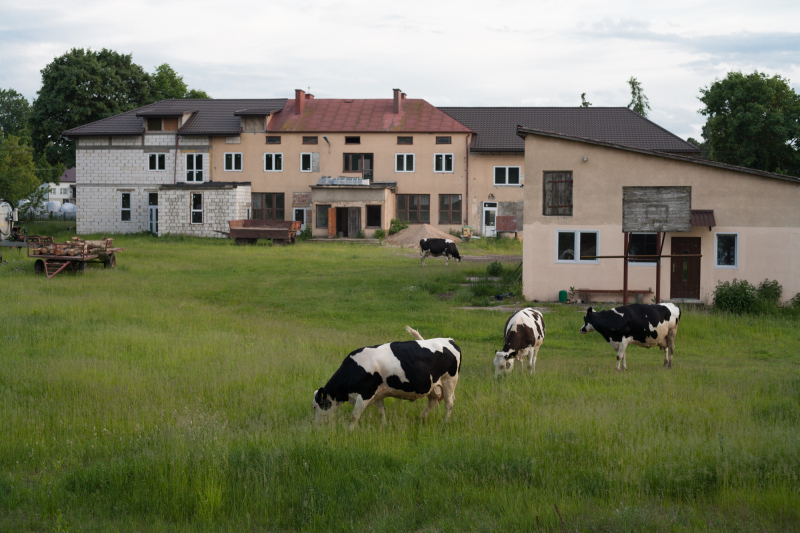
52, 257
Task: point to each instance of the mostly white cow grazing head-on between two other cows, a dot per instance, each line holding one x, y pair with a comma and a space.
524, 334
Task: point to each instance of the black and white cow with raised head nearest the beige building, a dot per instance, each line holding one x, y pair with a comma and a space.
645, 325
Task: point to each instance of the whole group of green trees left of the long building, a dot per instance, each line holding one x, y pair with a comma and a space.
79, 87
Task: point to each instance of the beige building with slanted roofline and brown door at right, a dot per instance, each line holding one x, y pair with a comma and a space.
573, 210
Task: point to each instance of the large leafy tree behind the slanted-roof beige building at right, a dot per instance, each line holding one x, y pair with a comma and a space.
753, 121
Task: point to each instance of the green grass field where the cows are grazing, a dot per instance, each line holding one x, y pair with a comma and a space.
173, 393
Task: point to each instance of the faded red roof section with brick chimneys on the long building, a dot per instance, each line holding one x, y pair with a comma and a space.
363, 115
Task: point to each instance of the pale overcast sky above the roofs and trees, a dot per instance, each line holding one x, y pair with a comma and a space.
451, 53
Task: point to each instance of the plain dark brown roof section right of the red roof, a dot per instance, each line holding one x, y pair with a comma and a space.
496, 127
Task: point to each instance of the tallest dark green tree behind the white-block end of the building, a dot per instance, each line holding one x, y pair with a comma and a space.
79, 87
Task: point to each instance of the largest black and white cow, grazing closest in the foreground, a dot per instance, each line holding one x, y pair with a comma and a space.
405, 370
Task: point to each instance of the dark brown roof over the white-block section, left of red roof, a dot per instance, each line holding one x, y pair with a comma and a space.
211, 117
